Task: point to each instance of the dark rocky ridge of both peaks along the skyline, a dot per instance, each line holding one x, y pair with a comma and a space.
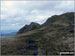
63, 19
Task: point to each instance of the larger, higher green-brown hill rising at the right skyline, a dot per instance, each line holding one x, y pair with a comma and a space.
65, 19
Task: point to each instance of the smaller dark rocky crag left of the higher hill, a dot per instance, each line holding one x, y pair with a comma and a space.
30, 27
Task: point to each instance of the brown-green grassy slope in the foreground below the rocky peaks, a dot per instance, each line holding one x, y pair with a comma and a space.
49, 43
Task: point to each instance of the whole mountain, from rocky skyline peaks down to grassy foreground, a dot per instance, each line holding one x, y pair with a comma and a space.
54, 36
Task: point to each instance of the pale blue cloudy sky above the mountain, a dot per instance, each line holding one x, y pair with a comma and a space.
16, 14
